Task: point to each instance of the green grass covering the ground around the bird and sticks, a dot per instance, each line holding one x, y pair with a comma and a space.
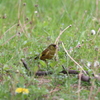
25, 33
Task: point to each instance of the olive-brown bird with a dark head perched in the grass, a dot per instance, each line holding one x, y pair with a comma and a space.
48, 53
